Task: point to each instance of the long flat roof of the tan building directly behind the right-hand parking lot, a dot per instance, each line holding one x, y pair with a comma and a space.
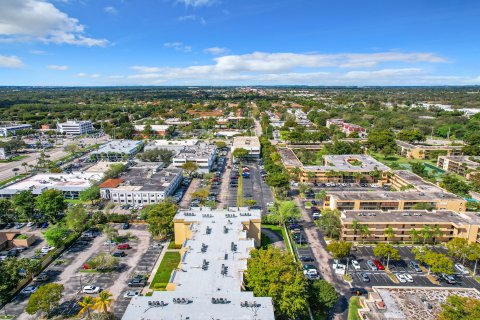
414, 216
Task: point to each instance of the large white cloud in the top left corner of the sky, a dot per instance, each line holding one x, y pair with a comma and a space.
29, 20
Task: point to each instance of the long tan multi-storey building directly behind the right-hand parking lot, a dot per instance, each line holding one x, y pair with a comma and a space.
444, 225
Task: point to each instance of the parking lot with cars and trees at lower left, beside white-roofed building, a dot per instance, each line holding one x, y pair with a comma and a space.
67, 270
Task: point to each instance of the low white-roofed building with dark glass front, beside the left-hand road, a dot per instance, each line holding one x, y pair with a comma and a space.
117, 150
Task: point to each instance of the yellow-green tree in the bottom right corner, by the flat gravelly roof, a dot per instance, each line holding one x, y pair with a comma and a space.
460, 308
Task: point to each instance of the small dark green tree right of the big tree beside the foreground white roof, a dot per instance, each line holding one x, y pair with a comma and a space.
322, 297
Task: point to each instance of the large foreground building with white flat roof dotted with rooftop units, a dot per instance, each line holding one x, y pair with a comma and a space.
208, 281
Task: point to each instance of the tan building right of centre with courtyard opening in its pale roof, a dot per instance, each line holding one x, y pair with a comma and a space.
350, 168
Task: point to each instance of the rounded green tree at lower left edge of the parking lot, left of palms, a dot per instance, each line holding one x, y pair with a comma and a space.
45, 299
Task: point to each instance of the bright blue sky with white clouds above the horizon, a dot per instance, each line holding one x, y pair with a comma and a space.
239, 42
